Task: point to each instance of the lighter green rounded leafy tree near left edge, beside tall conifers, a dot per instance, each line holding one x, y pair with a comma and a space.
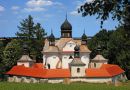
11, 54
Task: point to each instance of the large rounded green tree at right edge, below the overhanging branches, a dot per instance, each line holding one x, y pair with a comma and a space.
118, 53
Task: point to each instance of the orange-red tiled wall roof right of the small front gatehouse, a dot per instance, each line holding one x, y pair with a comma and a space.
106, 70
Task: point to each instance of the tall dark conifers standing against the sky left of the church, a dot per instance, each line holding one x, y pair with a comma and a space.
33, 34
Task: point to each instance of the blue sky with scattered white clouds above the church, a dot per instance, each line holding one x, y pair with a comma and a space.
50, 14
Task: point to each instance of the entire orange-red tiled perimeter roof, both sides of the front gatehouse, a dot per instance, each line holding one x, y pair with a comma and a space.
107, 70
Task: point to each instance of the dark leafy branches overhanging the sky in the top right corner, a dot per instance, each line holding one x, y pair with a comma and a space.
119, 9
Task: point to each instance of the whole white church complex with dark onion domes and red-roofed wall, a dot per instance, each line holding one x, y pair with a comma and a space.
65, 60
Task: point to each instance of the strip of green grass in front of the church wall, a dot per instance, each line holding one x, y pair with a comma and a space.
72, 86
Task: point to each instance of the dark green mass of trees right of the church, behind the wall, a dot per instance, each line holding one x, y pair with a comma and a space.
114, 47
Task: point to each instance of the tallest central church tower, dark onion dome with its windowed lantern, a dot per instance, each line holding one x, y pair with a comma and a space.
66, 29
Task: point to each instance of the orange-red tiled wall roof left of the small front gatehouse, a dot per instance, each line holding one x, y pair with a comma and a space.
39, 72
